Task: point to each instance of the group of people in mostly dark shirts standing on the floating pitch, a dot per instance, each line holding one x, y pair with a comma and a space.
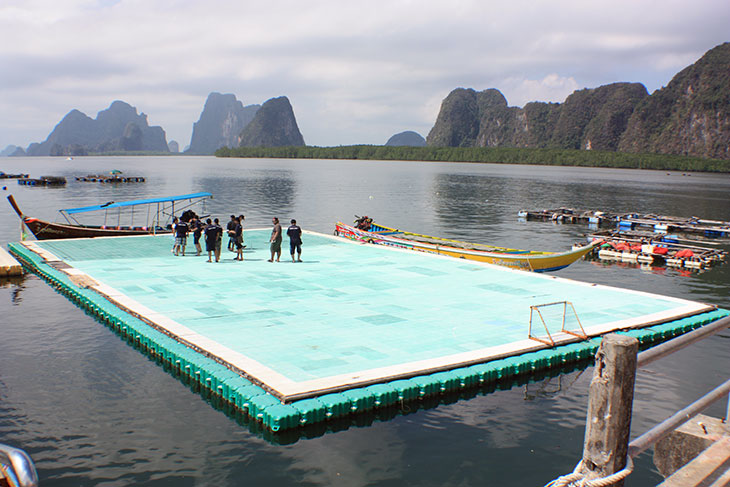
214, 235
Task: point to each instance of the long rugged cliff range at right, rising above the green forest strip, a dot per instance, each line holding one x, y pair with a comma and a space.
690, 116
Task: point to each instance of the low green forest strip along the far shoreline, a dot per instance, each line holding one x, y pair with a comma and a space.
498, 155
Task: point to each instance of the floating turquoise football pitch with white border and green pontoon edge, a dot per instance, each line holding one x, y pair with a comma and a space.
353, 328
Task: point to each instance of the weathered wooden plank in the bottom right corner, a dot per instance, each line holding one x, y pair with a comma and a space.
710, 469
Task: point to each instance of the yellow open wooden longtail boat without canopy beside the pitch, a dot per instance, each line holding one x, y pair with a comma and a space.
528, 260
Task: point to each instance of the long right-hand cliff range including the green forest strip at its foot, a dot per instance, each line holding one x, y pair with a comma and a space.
684, 126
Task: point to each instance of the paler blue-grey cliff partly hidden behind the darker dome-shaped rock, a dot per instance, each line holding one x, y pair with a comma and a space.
220, 124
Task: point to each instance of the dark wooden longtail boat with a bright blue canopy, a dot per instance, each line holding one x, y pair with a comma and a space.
164, 209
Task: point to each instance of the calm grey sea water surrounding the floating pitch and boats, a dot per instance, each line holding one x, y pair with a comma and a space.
91, 410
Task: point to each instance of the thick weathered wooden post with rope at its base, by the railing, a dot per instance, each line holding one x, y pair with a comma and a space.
611, 396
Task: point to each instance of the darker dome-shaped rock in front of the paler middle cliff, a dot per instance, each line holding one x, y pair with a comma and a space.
273, 125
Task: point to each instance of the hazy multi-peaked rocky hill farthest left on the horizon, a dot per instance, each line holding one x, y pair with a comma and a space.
118, 128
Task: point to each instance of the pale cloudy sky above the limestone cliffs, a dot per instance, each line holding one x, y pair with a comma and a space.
354, 71
